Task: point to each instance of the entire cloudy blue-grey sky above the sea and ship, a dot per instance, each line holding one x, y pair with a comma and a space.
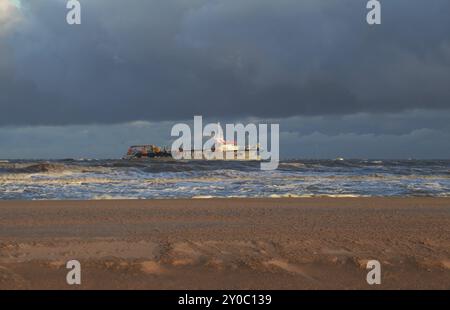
132, 69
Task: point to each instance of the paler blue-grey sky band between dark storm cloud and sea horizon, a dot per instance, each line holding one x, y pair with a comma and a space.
415, 134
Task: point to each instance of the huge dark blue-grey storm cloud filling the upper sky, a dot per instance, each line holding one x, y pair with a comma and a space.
168, 60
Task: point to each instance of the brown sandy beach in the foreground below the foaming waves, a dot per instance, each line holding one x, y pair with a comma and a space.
301, 243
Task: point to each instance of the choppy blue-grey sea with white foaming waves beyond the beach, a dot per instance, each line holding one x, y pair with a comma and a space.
121, 179
